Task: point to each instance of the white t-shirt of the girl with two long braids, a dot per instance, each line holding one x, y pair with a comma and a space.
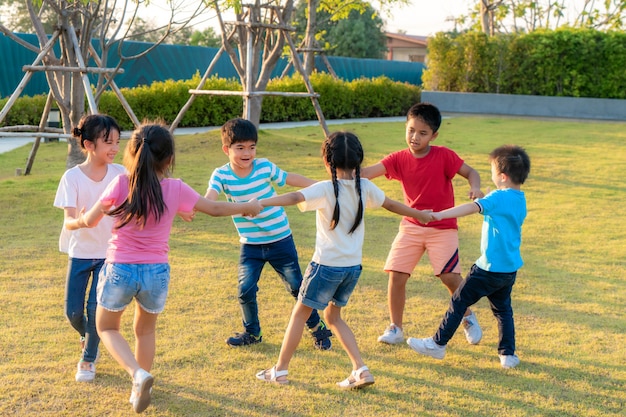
338, 247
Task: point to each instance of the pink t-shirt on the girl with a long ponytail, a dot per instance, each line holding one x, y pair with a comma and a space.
148, 245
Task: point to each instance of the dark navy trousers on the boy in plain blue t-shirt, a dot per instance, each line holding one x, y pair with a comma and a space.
479, 283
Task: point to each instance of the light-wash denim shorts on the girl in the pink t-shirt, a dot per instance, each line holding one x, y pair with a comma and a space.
118, 284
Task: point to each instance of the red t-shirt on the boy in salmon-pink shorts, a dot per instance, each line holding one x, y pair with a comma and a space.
426, 182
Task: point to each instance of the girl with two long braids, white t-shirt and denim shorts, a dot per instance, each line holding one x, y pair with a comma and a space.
336, 266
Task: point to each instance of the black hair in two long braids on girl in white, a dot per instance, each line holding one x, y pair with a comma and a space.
343, 150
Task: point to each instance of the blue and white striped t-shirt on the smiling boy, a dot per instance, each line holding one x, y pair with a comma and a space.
271, 225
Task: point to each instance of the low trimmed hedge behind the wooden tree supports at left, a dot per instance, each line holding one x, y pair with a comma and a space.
377, 97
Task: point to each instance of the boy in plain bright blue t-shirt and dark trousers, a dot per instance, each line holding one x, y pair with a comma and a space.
493, 274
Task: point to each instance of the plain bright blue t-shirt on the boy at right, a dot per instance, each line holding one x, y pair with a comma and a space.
504, 212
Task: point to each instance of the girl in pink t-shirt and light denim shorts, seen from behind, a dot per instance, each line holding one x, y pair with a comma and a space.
143, 204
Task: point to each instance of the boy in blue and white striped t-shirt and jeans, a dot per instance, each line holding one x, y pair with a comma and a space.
265, 238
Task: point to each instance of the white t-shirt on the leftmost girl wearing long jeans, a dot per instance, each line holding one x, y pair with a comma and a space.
77, 190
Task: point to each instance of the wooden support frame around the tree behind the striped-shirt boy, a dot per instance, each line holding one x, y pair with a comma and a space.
276, 23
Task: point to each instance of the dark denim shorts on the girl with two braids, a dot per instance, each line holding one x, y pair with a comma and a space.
324, 284
